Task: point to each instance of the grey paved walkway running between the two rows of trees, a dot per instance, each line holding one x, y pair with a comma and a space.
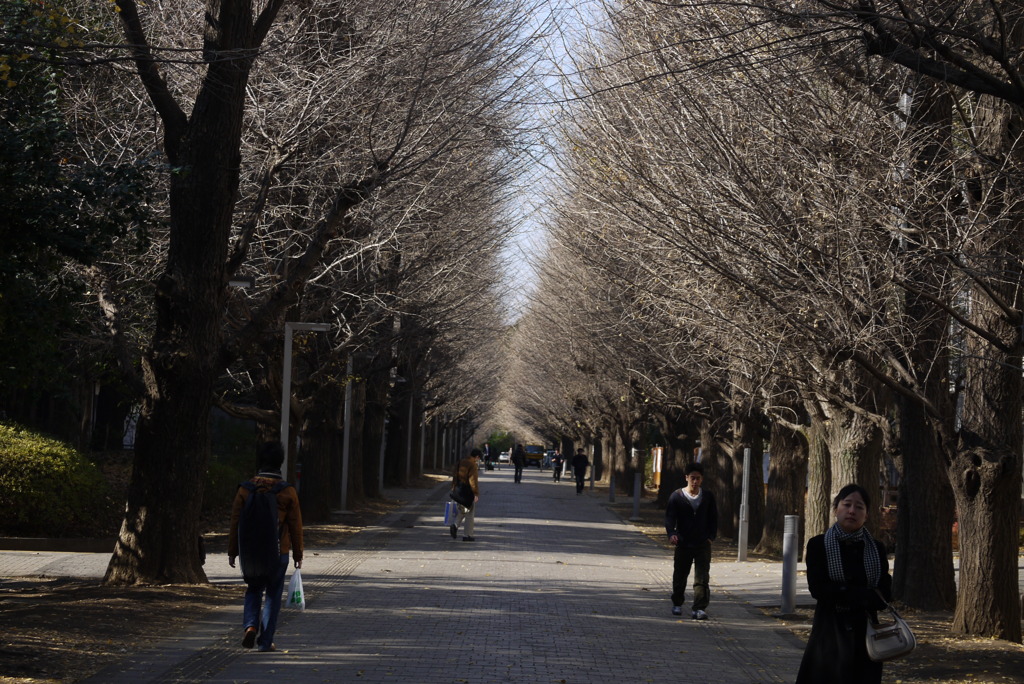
556, 589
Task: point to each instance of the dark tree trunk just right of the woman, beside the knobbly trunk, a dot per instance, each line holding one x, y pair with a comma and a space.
923, 573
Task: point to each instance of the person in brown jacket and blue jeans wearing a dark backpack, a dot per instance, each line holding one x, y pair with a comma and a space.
269, 482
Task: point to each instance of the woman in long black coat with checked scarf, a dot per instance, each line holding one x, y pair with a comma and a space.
846, 571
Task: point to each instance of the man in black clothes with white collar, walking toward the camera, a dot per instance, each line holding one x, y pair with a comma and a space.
692, 522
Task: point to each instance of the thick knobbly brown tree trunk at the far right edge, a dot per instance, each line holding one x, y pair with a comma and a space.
986, 468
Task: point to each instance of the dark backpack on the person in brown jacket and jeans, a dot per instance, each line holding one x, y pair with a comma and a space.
260, 533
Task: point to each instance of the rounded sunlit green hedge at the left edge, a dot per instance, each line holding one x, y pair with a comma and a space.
48, 489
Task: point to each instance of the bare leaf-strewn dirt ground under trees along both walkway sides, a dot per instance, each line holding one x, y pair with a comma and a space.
65, 631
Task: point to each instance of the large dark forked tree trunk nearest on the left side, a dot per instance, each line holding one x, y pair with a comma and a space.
159, 537
